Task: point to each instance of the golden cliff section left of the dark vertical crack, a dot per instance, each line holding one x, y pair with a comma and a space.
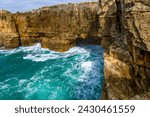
9, 36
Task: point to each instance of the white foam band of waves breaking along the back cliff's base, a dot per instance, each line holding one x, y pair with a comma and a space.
37, 54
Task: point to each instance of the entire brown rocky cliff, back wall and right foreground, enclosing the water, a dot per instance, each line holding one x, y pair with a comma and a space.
120, 26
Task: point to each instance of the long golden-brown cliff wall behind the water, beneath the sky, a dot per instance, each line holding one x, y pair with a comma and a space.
58, 27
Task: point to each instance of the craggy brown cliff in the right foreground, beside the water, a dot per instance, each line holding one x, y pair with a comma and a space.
124, 29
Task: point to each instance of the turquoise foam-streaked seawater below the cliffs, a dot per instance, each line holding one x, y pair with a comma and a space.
29, 73
